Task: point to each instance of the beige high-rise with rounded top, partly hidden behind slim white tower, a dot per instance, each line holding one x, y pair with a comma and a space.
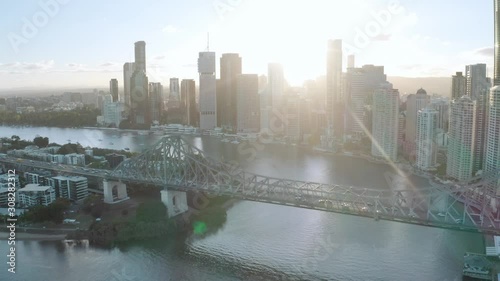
414, 103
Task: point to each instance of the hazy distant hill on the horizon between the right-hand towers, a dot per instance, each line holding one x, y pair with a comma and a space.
433, 85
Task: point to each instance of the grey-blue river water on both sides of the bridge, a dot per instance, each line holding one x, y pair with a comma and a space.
258, 241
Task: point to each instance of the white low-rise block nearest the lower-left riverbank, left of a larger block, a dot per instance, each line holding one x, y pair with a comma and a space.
34, 194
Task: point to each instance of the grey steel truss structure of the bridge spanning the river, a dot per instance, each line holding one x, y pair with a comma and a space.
175, 164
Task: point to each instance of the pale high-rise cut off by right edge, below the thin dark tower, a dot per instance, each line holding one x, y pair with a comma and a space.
492, 151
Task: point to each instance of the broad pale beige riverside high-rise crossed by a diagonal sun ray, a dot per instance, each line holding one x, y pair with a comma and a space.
385, 122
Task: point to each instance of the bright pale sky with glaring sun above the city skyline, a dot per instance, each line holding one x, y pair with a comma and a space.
84, 43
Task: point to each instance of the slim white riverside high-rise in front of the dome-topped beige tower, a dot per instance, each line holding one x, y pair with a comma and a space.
426, 146
